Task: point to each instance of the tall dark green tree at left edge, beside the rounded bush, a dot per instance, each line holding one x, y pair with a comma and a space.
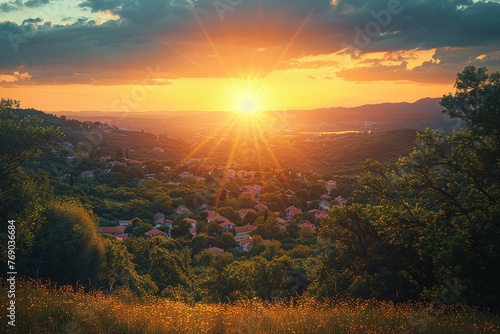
23, 192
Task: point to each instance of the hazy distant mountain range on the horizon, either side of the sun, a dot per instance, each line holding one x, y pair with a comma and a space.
419, 114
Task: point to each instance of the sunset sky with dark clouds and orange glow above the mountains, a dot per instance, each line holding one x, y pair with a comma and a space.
224, 55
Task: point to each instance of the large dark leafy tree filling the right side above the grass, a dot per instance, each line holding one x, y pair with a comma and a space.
432, 217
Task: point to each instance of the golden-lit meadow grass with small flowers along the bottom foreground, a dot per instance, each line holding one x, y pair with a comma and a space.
44, 309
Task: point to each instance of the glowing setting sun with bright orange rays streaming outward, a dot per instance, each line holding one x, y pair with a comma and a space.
249, 131
